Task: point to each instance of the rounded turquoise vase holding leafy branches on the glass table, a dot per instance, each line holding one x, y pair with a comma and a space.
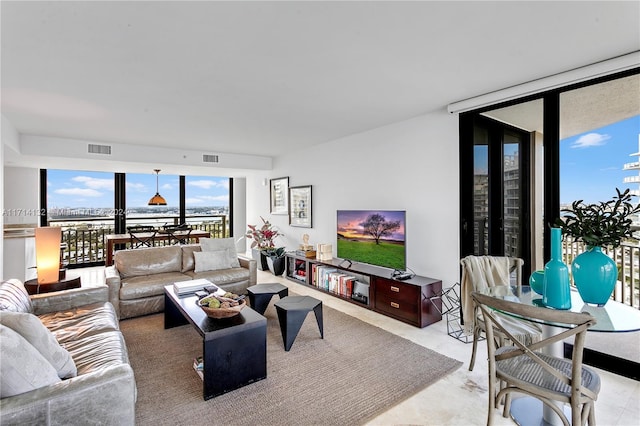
595, 275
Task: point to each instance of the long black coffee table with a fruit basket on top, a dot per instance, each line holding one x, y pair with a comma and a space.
234, 349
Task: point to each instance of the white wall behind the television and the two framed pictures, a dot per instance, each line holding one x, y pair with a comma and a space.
412, 166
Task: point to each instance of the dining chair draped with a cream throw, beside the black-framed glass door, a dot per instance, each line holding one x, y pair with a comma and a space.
476, 276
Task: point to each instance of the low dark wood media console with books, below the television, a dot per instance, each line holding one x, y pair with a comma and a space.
407, 301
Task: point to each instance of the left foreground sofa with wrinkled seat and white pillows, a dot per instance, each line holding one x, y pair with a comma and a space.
64, 359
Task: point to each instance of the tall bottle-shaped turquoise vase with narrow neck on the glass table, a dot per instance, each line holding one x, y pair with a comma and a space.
556, 292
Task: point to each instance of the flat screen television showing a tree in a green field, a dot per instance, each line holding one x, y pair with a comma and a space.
376, 237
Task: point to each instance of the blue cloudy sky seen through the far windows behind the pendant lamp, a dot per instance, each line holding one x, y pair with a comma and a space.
73, 189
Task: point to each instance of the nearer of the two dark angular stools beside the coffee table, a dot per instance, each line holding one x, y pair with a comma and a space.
292, 310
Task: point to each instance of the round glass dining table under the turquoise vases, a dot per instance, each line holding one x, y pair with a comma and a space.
613, 317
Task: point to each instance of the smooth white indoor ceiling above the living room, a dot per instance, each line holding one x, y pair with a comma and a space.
265, 78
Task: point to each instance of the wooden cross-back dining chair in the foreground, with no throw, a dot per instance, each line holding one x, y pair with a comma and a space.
524, 368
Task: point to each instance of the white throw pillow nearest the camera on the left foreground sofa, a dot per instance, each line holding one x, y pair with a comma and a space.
22, 369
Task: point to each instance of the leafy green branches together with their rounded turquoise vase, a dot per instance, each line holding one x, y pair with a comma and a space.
598, 225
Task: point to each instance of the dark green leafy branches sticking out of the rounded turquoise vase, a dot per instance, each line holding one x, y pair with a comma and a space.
600, 224
